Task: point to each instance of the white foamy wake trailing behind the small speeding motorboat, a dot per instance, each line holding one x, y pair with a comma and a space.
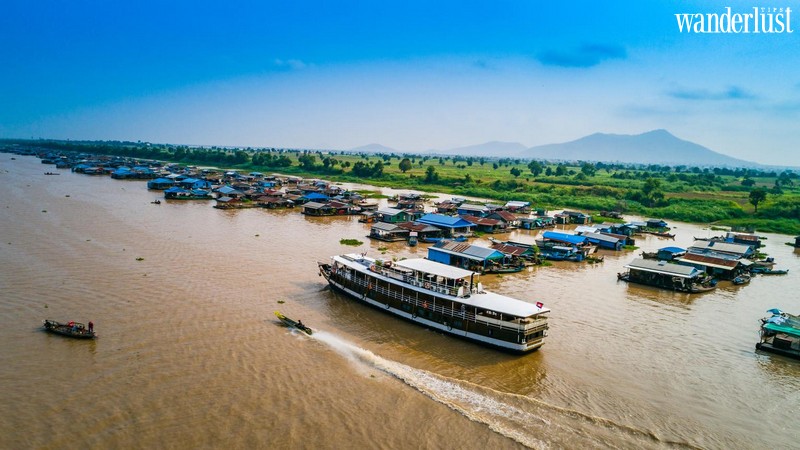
531, 422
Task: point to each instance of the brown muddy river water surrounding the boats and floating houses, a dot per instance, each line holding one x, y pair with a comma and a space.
190, 355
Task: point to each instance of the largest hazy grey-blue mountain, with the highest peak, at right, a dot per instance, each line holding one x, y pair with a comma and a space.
653, 147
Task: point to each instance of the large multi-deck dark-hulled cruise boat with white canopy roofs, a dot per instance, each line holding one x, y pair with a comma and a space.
440, 297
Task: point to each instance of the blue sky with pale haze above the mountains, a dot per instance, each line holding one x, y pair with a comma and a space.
411, 75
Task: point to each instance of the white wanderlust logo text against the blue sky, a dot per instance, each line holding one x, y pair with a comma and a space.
757, 20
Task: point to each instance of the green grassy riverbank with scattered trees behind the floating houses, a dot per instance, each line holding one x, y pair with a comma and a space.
762, 200
